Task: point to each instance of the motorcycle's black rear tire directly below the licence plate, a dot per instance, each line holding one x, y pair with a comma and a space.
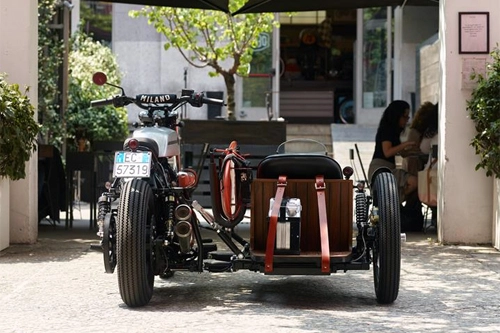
133, 243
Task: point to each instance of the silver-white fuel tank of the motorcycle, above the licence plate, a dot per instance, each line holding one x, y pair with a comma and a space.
166, 138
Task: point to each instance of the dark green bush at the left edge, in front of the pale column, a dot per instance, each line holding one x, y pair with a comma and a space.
18, 130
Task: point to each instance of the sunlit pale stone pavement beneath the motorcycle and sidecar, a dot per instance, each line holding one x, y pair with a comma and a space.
59, 285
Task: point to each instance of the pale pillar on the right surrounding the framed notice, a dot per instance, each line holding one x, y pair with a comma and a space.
465, 196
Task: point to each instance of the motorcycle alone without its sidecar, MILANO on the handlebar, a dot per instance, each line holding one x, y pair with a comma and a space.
152, 230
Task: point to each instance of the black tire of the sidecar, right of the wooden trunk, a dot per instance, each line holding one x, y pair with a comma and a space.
387, 245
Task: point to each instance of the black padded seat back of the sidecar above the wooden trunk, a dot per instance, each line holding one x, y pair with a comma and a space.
299, 166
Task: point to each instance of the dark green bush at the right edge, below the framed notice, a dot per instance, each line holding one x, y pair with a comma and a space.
484, 110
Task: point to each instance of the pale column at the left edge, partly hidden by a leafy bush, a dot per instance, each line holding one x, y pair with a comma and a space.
19, 59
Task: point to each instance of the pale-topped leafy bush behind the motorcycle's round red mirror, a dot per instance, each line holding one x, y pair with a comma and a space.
82, 121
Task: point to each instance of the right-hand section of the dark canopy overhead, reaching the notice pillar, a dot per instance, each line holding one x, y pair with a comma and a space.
262, 6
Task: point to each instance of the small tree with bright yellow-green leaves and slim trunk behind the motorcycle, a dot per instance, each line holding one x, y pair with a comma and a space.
211, 39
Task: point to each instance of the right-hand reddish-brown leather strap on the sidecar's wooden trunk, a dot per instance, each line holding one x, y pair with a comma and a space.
323, 224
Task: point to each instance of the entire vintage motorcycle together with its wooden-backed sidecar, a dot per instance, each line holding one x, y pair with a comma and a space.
303, 209
